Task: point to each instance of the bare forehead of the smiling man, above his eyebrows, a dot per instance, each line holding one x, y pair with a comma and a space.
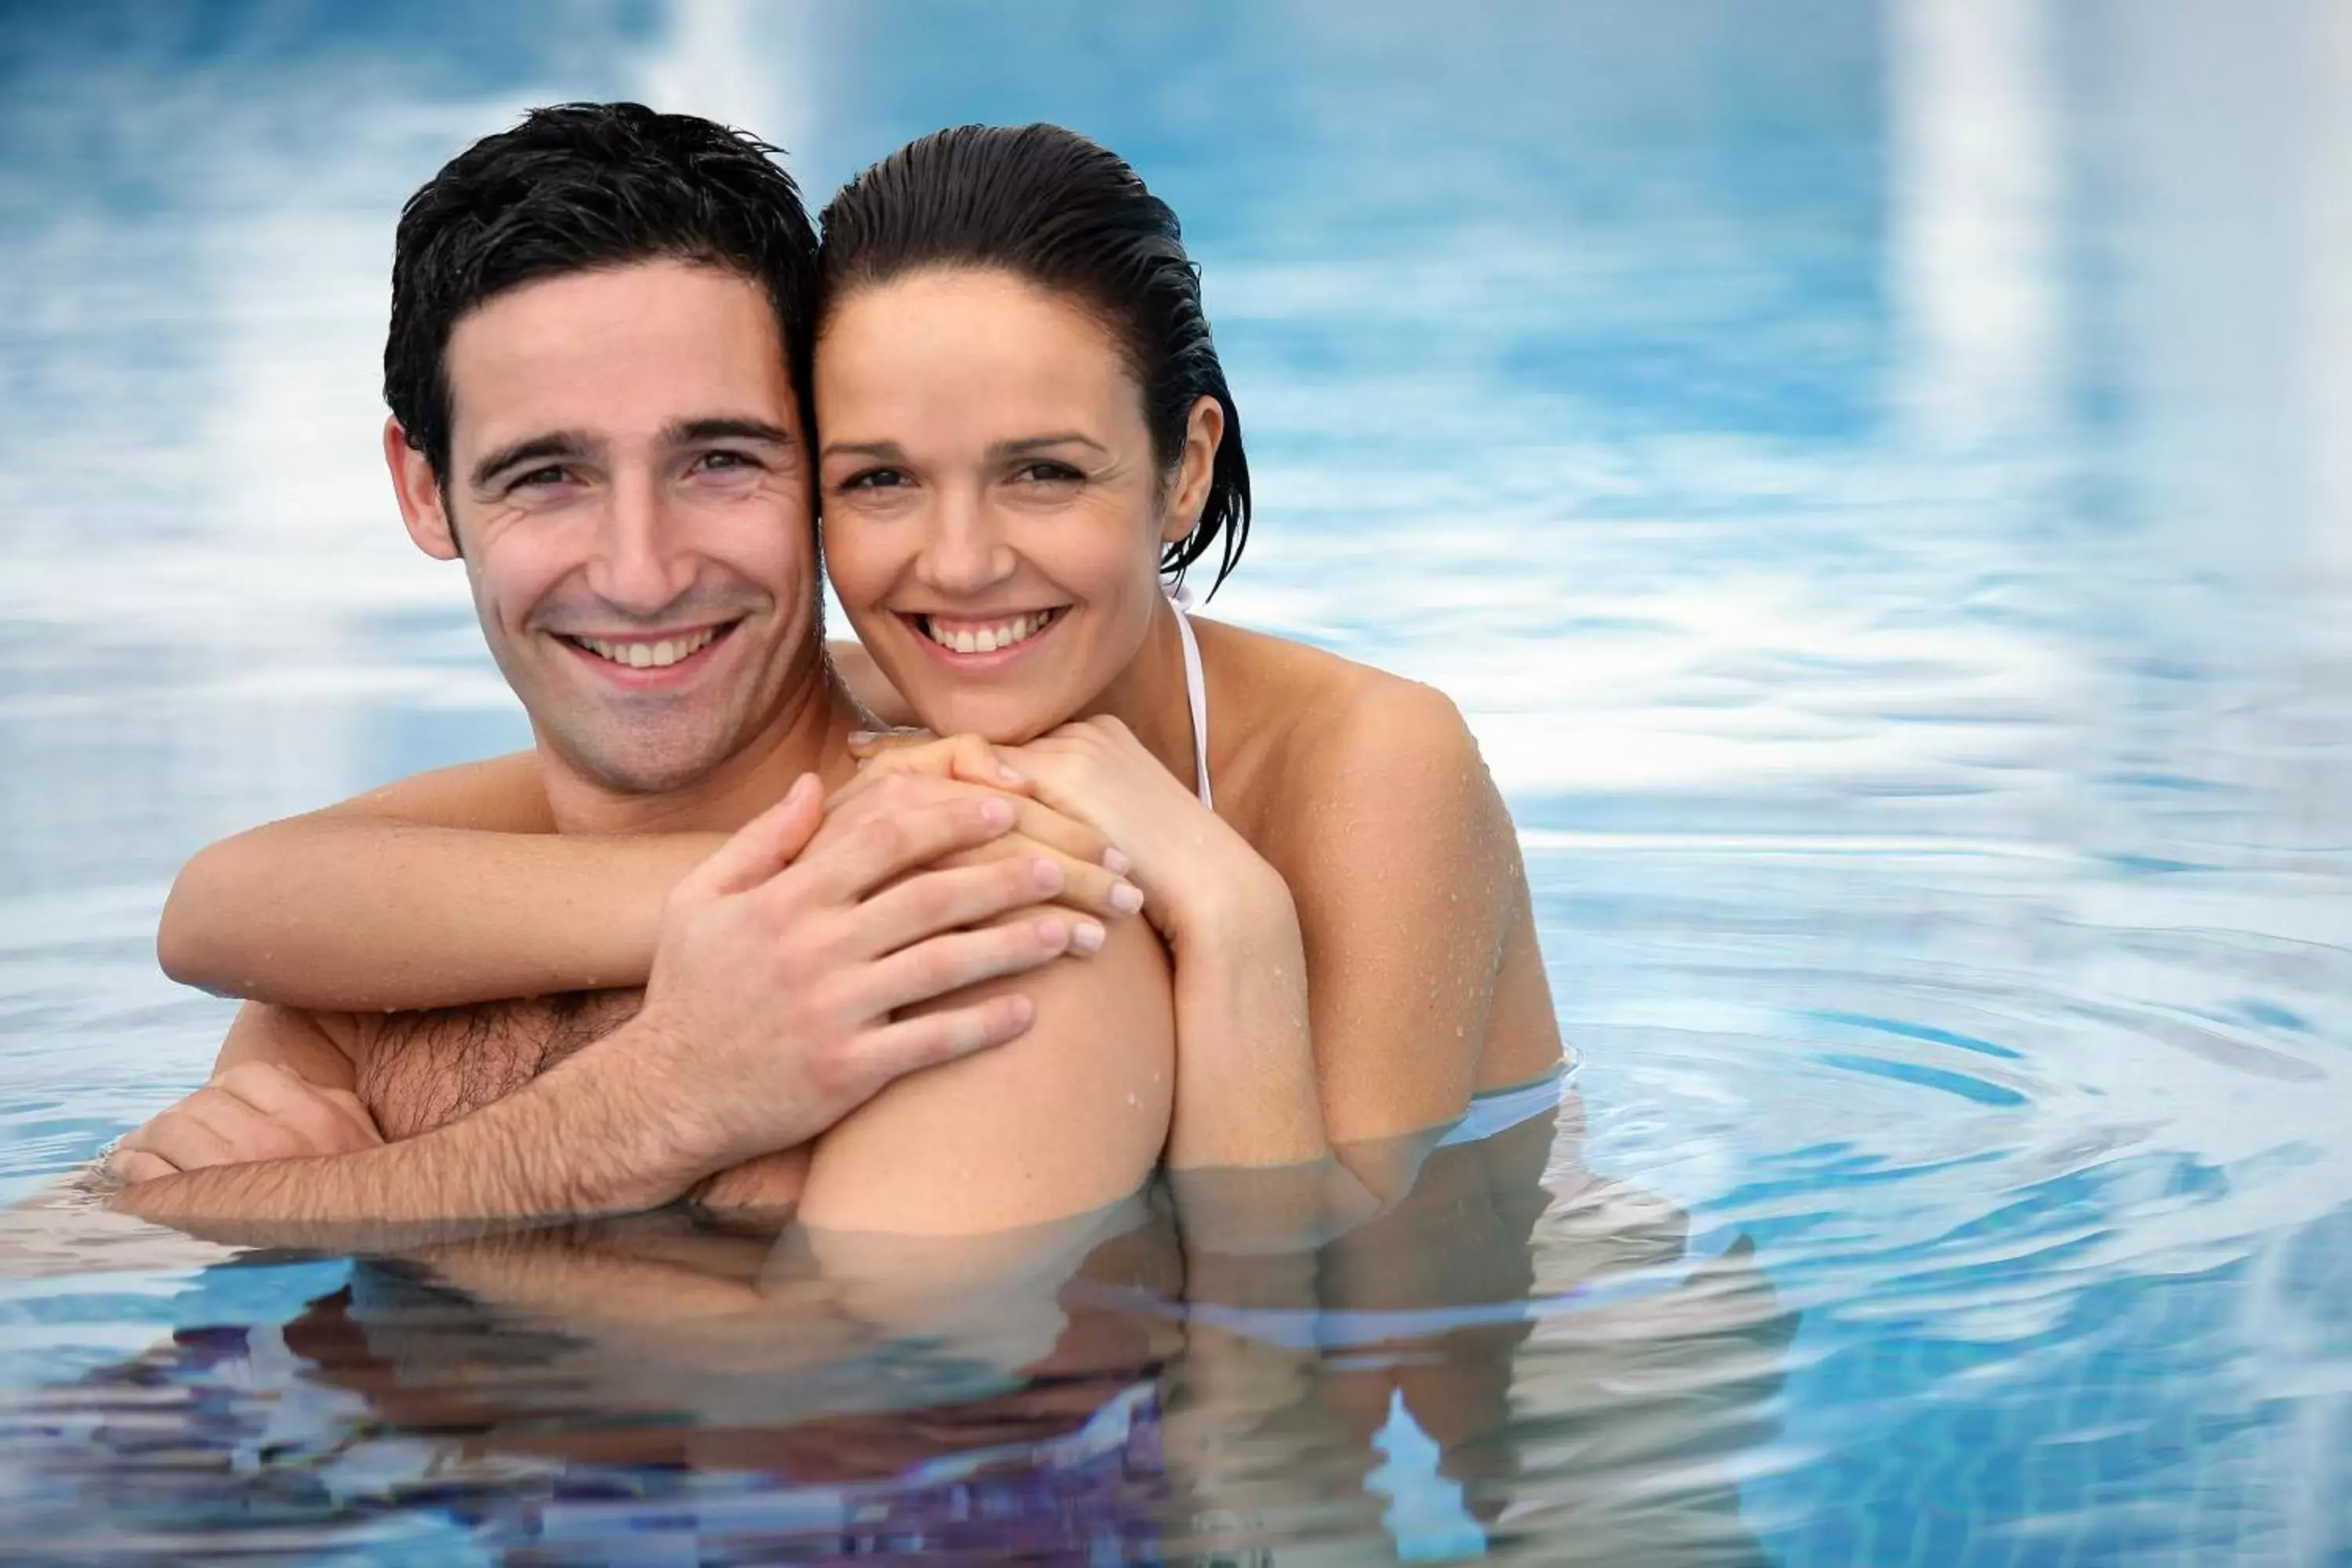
622, 354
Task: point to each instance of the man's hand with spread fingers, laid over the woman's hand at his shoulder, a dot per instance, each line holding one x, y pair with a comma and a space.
787, 956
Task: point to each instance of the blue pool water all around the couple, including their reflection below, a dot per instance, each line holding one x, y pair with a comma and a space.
1876, 481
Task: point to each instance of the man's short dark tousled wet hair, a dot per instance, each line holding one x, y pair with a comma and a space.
575, 189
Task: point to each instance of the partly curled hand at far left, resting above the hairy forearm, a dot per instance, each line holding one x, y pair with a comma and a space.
253, 1111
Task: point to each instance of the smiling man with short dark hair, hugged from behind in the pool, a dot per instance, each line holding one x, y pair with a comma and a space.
592, 368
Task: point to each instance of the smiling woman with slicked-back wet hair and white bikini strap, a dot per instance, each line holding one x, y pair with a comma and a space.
1024, 429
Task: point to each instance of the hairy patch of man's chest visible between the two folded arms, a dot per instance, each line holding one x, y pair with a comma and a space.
422, 1071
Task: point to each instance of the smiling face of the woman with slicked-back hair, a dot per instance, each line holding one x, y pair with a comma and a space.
991, 504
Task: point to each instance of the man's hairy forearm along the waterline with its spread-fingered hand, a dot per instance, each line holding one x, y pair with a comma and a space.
773, 1014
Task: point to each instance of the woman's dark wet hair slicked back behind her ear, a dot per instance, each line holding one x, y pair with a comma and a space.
1071, 217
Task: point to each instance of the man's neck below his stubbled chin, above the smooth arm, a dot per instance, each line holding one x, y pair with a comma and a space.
808, 737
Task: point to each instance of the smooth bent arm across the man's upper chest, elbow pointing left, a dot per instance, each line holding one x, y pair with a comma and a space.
432, 892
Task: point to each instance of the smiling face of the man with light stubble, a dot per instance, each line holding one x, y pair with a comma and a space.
632, 495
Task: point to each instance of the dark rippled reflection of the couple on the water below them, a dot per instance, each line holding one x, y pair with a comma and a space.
1088, 1393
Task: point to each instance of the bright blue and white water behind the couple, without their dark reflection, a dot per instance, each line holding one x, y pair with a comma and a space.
1878, 476
